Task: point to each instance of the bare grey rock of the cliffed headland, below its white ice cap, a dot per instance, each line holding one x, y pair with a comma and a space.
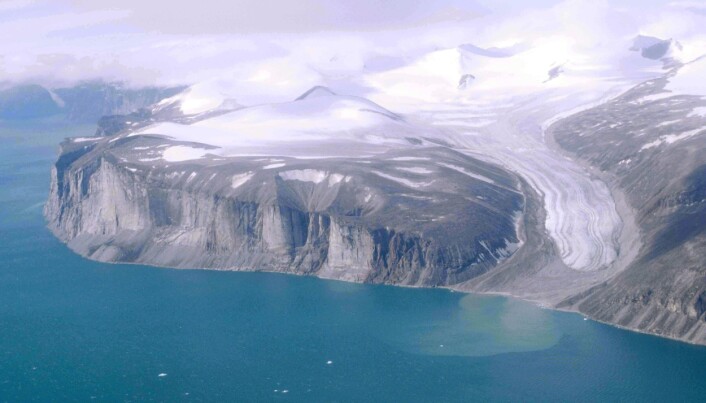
398, 218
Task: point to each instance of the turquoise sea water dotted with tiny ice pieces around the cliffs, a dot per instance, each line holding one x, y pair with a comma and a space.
76, 330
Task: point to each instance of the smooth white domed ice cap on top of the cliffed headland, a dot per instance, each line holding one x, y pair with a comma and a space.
310, 127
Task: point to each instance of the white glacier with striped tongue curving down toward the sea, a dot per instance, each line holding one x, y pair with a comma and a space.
501, 114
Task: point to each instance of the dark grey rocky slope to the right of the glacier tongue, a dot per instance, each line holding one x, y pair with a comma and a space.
650, 143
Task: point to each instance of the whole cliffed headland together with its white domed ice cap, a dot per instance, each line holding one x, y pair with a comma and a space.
326, 184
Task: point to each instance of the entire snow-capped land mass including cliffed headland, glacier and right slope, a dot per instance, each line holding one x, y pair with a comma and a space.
527, 161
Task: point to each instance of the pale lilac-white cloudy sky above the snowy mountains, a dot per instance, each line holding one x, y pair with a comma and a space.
59, 42
